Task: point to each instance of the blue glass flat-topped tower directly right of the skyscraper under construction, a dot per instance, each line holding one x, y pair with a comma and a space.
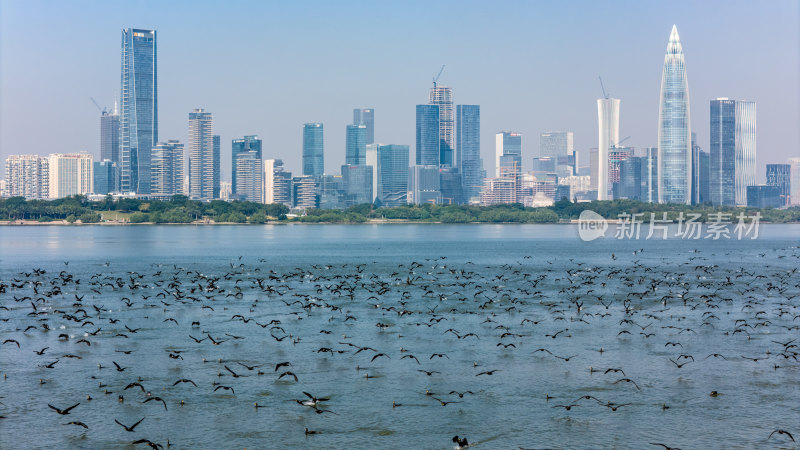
468, 149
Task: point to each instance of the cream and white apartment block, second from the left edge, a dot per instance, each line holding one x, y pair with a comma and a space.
70, 174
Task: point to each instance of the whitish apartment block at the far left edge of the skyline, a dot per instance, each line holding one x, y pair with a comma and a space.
27, 176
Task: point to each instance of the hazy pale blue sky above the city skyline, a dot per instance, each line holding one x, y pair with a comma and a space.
267, 68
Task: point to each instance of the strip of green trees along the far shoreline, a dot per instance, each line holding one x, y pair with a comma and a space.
17, 211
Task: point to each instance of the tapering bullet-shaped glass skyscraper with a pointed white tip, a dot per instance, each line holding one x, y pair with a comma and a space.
674, 127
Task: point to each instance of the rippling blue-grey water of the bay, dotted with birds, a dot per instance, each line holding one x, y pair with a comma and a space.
545, 313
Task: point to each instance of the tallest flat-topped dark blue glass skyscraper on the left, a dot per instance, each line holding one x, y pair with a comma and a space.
138, 119
